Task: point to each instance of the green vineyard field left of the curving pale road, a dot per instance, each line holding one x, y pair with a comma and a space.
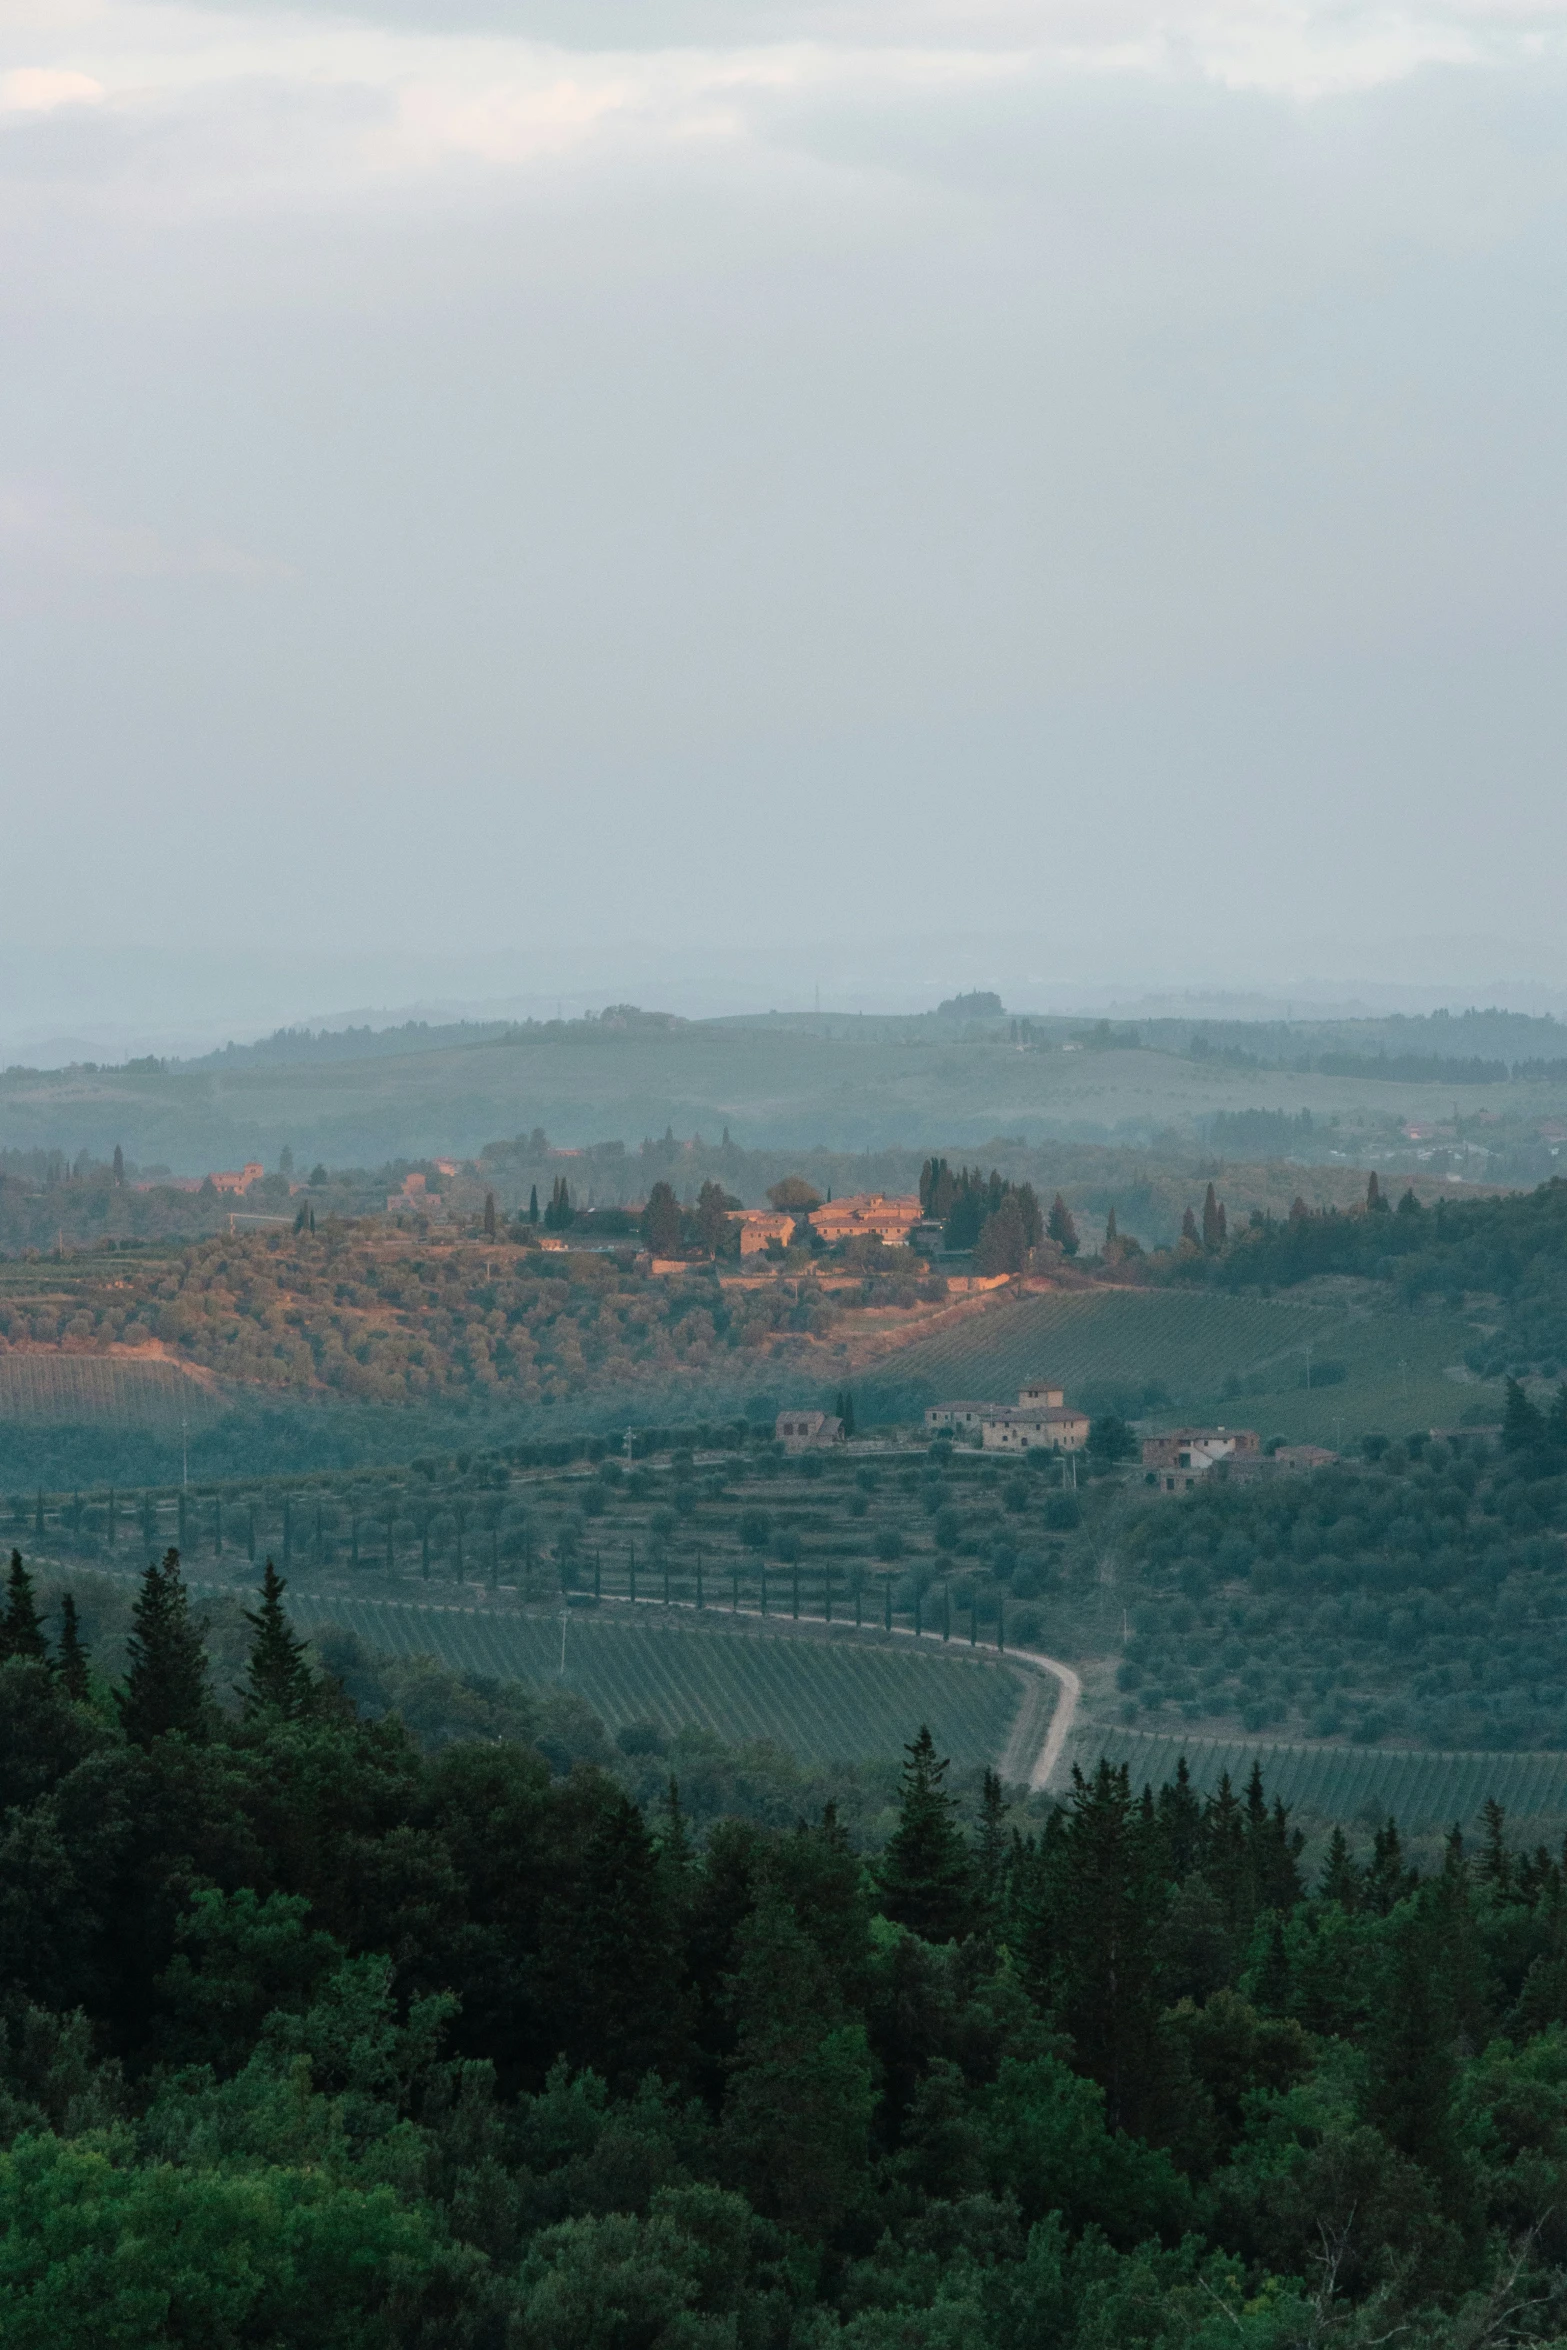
823, 1700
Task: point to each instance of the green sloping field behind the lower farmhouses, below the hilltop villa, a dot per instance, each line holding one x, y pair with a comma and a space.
1239, 1359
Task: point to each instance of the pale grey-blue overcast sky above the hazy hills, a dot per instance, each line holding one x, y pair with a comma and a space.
497, 495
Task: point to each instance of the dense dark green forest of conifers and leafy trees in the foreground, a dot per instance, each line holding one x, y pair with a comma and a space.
314, 2039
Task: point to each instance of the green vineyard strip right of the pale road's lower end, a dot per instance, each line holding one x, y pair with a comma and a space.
1347, 1782
